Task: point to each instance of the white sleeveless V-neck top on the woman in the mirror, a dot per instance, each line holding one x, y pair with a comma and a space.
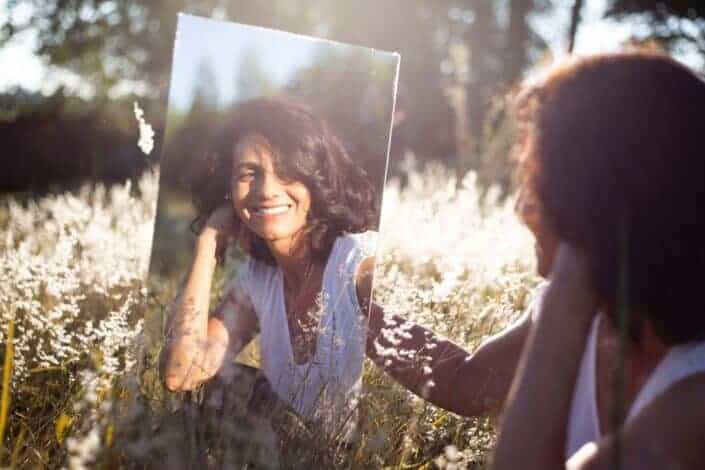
328, 384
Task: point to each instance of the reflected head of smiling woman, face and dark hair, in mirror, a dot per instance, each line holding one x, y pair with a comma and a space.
285, 172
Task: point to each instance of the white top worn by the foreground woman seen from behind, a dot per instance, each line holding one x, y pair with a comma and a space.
583, 425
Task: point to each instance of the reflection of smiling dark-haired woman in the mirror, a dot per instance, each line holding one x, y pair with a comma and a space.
281, 185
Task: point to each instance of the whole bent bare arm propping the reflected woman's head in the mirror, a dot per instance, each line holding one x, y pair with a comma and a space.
197, 344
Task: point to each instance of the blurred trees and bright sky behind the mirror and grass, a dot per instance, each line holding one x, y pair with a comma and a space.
70, 71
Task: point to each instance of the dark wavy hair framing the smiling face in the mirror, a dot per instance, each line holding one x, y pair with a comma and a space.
305, 149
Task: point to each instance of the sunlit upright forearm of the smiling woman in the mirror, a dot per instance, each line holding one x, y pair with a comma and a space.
187, 341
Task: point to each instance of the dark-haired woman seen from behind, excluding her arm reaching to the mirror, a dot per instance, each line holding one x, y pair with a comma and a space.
613, 373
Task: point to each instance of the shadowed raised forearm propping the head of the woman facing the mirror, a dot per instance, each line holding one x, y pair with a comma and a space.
533, 430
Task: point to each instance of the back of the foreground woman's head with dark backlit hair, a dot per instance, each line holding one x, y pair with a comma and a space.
612, 155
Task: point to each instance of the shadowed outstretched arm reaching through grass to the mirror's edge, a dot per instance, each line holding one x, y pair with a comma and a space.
437, 369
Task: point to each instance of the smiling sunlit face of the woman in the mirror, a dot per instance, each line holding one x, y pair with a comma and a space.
274, 209
